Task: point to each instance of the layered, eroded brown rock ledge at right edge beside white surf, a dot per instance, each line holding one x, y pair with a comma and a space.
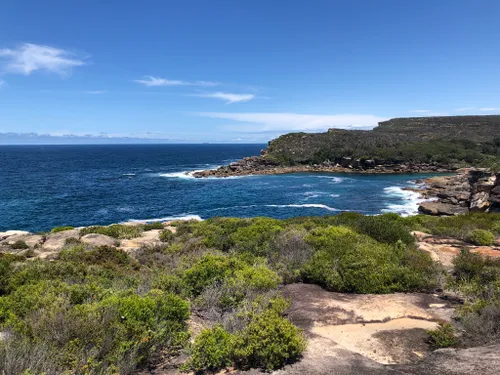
470, 190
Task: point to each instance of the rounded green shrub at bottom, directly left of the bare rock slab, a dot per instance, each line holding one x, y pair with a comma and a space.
268, 342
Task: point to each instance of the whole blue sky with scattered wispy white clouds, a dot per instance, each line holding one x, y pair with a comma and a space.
242, 71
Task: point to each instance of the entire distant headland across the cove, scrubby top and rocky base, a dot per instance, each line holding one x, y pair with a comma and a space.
416, 144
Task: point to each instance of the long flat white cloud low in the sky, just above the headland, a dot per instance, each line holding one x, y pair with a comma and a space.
268, 122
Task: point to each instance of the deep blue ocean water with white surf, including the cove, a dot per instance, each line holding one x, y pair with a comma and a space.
46, 186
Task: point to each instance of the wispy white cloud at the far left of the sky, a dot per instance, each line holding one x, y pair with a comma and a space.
28, 58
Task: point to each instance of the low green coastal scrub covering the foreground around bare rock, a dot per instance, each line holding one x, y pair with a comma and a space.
101, 310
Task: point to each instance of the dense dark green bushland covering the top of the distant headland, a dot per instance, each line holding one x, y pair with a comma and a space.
461, 140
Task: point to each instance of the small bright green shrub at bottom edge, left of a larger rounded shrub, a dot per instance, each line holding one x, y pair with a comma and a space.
211, 350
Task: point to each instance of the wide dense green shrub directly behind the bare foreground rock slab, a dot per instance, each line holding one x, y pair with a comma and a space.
346, 261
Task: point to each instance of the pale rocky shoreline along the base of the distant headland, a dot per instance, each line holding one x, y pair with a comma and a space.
258, 165
